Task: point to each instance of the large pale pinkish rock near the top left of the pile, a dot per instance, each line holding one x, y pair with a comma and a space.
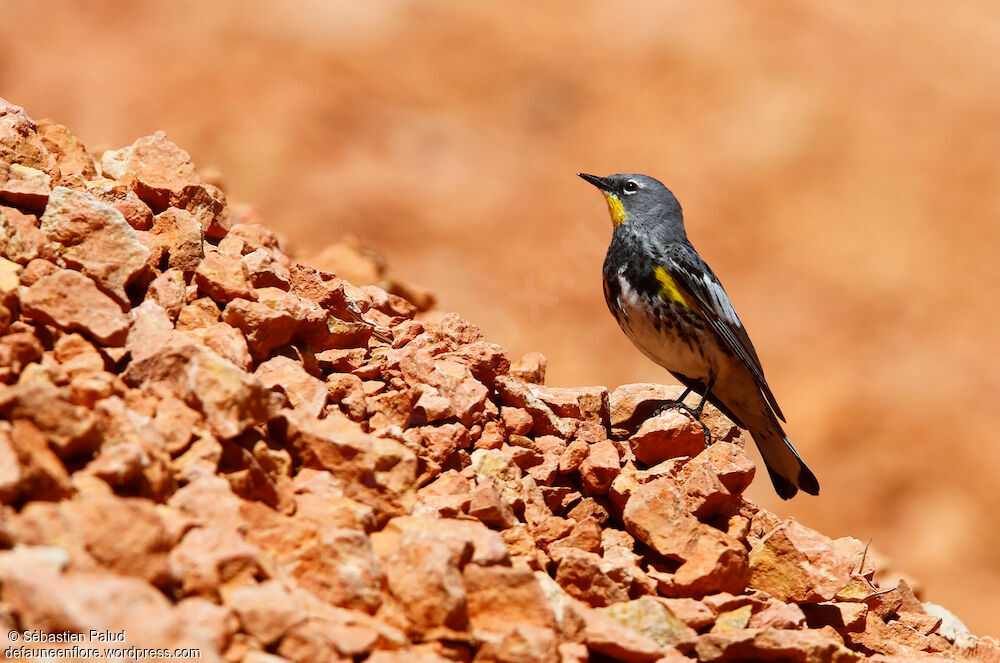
95, 239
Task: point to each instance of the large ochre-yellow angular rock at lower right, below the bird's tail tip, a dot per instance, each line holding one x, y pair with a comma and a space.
795, 563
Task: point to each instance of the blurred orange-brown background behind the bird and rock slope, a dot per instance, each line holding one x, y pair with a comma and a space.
838, 163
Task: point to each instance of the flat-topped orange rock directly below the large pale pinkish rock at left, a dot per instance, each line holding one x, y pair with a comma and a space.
87, 309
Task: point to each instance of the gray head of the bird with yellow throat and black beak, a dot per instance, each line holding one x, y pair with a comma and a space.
639, 201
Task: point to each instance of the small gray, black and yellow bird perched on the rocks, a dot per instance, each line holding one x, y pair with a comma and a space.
673, 308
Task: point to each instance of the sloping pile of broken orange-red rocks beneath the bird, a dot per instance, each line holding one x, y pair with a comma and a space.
206, 445
